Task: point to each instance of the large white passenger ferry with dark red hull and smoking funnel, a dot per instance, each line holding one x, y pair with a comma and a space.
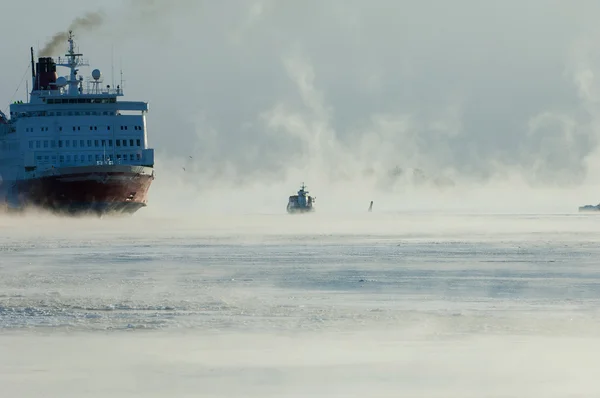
72, 149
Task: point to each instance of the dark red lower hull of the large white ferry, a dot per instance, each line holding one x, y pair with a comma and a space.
100, 190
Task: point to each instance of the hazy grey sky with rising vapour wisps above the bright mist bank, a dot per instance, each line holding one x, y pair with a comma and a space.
255, 89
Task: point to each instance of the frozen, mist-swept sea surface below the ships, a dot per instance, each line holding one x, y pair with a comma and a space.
361, 305
